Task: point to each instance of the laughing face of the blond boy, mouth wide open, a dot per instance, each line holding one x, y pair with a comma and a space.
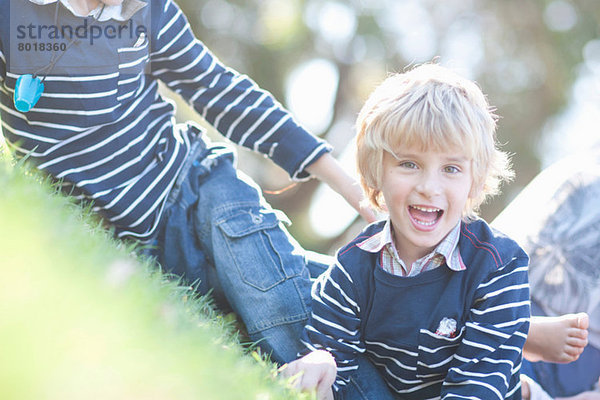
425, 193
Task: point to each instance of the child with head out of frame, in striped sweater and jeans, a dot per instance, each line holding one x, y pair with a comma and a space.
104, 129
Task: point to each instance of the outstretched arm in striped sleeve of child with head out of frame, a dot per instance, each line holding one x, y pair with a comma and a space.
236, 107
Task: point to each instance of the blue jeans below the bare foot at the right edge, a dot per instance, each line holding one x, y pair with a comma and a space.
562, 380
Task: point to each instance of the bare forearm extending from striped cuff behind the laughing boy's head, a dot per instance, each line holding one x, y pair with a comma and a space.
328, 170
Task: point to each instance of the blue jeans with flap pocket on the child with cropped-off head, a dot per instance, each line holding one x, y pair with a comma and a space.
219, 234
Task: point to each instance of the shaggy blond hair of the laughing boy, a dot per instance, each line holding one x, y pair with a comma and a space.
431, 108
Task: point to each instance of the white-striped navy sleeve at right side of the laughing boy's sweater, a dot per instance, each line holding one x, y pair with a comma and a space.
487, 362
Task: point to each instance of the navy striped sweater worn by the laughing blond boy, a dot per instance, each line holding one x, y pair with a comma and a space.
397, 321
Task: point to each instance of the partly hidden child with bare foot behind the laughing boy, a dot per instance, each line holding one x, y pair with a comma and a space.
556, 219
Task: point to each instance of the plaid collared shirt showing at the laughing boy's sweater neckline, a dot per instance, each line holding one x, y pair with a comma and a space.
446, 252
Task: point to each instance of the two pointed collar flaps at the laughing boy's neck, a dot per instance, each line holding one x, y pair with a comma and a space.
448, 247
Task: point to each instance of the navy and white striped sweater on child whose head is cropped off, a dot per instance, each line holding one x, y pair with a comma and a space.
103, 128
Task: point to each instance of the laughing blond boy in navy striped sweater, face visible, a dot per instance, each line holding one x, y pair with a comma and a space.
431, 301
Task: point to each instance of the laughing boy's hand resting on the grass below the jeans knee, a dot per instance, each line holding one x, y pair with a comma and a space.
316, 370
